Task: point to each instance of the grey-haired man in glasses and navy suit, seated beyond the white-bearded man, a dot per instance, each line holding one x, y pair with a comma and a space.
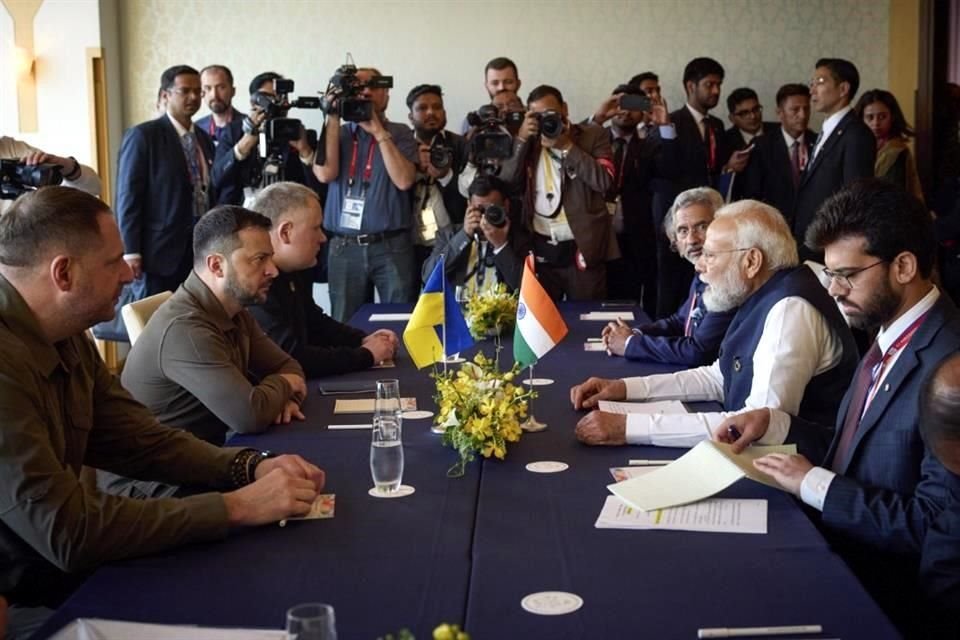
691, 335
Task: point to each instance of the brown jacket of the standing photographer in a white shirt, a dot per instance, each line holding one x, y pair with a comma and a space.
587, 176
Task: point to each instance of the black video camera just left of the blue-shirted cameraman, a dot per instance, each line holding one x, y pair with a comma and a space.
277, 131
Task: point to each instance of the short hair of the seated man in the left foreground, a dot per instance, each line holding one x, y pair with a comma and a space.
58, 218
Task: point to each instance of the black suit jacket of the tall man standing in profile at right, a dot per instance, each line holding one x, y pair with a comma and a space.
848, 154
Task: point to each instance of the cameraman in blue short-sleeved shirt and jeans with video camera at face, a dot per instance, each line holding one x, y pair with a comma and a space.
369, 164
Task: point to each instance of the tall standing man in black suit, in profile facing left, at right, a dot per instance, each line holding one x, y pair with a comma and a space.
845, 149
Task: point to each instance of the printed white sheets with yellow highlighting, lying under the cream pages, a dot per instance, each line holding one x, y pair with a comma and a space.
715, 516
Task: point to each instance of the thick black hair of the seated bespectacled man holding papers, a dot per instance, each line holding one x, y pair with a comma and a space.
890, 219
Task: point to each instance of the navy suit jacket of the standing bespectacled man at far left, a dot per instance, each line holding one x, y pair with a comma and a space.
154, 194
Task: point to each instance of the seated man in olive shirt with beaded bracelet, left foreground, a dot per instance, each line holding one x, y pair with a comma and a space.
61, 271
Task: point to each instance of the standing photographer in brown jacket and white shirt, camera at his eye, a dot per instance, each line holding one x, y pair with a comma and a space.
564, 170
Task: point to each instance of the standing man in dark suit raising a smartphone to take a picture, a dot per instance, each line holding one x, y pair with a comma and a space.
638, 160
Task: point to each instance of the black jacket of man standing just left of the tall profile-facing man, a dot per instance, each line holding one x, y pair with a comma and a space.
769, 176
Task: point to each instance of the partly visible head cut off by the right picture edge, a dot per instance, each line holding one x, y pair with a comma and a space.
940, 404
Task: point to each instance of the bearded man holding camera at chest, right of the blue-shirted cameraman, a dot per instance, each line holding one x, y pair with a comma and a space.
437, 203
